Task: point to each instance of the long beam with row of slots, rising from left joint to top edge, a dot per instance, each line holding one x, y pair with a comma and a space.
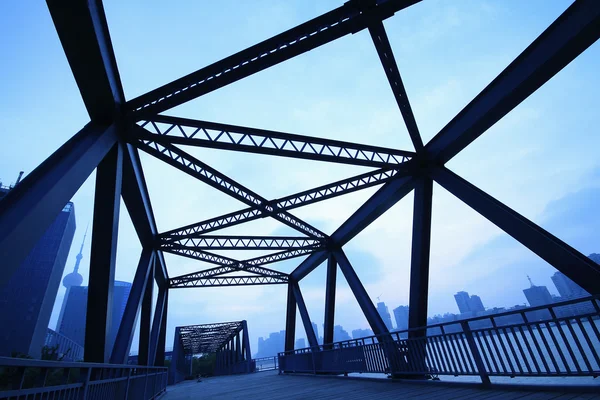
350, 18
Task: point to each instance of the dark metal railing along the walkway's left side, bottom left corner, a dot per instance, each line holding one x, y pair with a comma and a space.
35, 379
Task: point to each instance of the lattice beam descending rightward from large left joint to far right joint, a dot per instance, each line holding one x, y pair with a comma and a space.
196, 168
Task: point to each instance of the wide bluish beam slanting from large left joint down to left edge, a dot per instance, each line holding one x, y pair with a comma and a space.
30, 208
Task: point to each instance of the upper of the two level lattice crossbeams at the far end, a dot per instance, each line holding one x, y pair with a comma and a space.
243, 242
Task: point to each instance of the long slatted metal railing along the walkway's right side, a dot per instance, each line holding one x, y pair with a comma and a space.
560, 339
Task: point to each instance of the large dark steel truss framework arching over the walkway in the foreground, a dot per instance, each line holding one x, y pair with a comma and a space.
119, 128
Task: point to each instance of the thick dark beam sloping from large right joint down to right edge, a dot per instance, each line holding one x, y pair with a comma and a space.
557, 253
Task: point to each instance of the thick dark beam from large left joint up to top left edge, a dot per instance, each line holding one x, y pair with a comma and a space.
83, 32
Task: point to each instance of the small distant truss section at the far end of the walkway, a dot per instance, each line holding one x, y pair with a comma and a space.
229, 341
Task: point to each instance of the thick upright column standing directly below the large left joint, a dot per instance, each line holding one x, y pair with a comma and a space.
102, 257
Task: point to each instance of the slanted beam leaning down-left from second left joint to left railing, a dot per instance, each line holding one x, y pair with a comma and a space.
124, 337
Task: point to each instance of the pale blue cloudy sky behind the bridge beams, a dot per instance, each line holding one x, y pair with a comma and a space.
541, 159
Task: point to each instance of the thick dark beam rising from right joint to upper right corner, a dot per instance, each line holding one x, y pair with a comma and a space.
573, 32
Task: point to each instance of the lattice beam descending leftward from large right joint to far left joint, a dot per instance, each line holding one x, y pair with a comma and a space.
300, 199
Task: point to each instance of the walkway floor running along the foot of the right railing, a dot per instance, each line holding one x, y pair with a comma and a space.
270, 385
